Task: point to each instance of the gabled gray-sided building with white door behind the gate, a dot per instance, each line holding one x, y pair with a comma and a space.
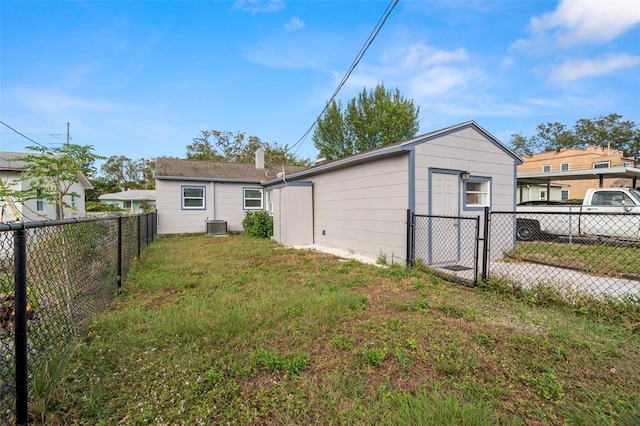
361, 203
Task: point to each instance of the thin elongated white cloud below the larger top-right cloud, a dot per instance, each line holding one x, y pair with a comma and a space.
577, 69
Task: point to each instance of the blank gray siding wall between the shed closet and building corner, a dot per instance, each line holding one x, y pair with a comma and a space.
362, 209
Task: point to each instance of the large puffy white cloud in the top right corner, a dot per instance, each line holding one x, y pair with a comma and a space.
577, 22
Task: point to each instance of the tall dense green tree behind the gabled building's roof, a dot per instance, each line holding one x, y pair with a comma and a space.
370, 120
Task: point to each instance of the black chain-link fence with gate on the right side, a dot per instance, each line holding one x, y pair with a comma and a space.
574, 256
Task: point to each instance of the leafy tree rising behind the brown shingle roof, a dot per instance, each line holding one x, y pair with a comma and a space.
216, 145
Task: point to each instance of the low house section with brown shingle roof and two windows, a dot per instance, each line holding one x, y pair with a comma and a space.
190, 193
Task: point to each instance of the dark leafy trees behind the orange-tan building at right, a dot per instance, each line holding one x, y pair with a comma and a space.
609, 131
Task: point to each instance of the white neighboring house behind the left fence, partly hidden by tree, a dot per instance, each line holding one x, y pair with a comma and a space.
37, 209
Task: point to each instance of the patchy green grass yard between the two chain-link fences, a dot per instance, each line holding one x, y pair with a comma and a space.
238, 331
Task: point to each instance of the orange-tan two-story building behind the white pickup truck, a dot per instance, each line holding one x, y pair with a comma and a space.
576, 159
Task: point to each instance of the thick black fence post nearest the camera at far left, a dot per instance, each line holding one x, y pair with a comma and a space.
20, 312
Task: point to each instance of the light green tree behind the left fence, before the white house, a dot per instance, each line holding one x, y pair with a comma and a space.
51, 172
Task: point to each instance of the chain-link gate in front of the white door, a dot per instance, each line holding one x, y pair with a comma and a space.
447, 245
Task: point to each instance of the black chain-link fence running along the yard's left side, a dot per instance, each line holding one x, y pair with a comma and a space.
55, 277
